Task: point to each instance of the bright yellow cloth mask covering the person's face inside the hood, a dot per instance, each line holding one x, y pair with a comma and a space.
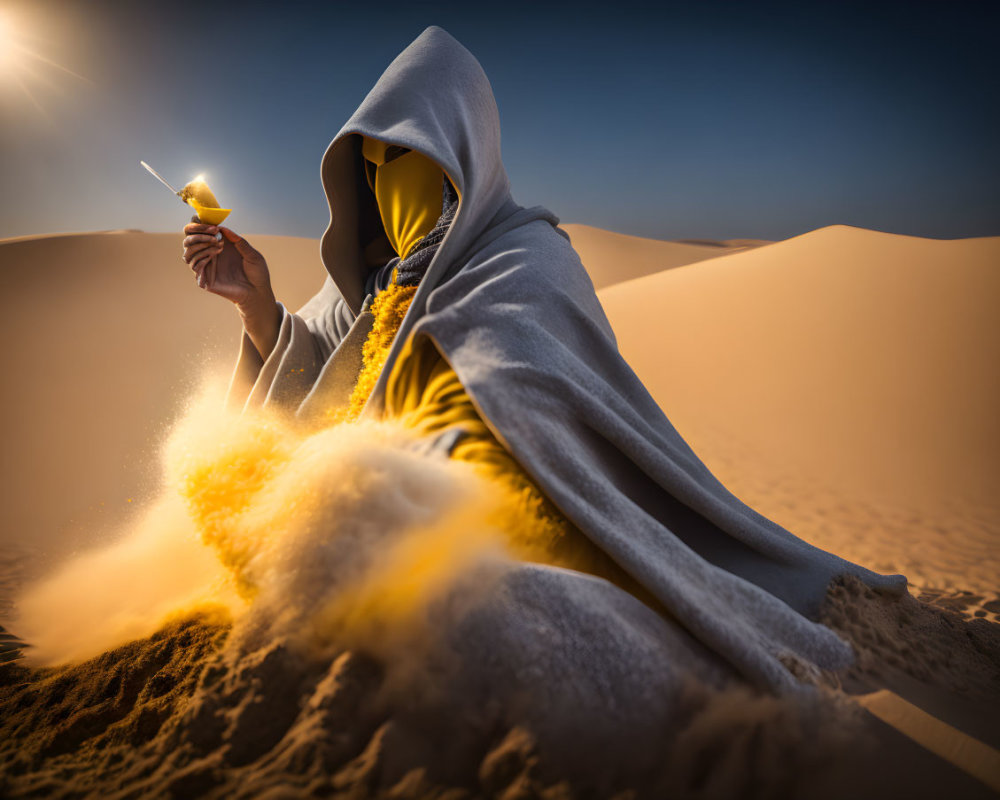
408, 191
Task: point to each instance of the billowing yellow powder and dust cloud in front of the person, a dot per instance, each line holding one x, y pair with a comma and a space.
336, 532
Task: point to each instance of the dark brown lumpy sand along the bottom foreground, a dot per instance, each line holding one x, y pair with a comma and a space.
189, 713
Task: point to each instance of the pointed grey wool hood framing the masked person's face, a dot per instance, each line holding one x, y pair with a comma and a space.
433, 98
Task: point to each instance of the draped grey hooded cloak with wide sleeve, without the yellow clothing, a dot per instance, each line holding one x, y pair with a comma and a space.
508, 303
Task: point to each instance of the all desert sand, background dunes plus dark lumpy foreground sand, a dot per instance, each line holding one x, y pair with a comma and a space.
839, 382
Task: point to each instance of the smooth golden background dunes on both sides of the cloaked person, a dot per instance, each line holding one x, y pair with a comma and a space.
842, 382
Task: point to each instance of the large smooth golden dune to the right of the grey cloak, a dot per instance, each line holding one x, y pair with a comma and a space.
844, 383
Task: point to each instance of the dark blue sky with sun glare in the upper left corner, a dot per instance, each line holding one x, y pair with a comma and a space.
698, 120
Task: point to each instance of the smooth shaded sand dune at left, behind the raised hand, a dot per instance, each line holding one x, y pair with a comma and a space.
106, 333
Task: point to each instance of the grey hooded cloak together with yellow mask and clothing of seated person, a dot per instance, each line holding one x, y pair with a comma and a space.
493, 298
